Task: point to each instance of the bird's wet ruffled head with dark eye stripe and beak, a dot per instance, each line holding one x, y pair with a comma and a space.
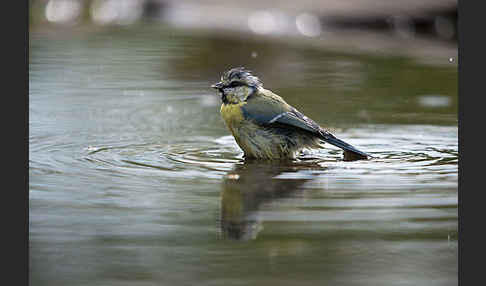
237, 85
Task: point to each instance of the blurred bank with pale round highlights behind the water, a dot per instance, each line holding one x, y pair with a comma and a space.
400, 27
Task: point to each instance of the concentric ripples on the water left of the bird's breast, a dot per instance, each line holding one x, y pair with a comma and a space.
198, 157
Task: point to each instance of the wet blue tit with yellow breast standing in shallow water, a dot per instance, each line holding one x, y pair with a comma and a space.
265, 126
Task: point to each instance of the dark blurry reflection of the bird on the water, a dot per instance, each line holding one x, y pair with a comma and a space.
251, 184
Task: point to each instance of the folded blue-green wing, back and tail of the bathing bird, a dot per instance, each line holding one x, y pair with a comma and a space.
273, 110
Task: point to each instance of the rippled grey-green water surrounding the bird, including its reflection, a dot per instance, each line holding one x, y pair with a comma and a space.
134, 179
